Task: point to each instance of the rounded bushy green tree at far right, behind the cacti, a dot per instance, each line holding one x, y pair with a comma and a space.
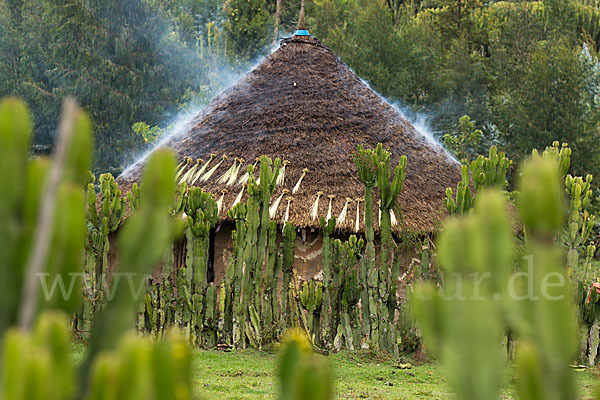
557, 100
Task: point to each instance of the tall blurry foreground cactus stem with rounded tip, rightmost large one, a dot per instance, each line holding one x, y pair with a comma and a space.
553, 343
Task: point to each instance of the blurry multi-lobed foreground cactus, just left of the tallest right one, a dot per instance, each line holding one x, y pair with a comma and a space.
465, 327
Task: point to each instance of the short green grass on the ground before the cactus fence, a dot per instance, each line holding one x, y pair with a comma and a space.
250, 374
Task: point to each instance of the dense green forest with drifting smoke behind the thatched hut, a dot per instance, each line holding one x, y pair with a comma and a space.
525, 72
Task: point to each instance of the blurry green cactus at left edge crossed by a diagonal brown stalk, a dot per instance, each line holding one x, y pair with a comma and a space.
42, 211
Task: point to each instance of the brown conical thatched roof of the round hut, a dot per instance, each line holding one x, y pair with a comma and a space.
304, 105
